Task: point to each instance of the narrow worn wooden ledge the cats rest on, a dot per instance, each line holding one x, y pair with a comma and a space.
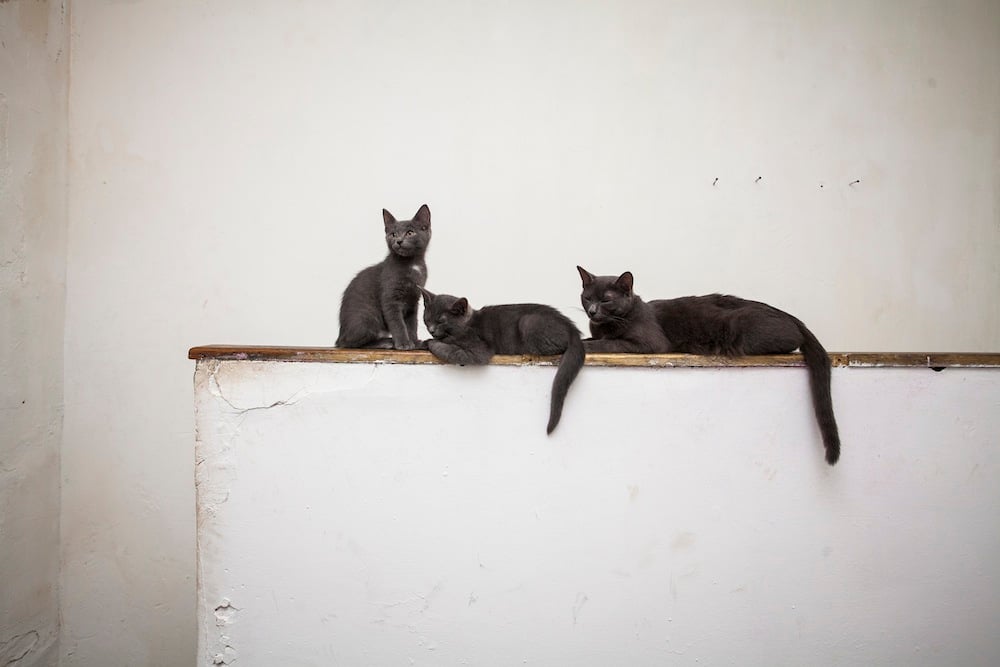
848, 359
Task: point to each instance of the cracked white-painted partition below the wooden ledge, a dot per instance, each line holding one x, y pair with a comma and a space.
399, 514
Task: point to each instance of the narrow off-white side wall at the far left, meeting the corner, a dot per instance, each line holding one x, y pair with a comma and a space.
34, 62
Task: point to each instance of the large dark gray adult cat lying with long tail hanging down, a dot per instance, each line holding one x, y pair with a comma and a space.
620, 321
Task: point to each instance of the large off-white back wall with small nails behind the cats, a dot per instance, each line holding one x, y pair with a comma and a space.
229, 160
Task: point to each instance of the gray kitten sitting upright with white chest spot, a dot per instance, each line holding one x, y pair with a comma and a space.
379, 306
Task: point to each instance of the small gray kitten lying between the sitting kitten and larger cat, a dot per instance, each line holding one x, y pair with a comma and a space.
463, 335
